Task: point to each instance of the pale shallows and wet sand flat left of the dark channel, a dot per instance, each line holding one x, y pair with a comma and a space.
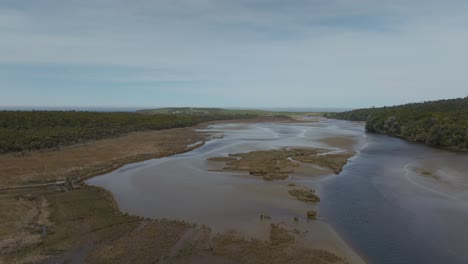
190, 187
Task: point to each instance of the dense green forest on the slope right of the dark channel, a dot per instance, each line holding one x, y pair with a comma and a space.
442, 123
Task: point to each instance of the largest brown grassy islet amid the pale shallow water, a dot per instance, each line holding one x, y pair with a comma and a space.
278, 164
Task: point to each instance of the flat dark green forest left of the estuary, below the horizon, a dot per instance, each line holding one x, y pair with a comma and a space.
33, 130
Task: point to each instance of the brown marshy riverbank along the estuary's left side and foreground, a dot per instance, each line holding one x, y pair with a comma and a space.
85, 223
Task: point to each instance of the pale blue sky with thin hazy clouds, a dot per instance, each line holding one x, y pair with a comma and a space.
232, 53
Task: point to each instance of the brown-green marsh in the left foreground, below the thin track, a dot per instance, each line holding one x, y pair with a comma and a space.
85, 226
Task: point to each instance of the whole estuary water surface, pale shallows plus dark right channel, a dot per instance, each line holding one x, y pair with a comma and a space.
380, 204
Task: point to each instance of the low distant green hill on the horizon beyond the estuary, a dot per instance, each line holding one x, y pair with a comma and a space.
202, 111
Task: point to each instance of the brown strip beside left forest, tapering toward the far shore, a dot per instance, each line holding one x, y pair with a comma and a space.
141, 152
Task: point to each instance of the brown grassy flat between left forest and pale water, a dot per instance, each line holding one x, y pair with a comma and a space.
100, 156
